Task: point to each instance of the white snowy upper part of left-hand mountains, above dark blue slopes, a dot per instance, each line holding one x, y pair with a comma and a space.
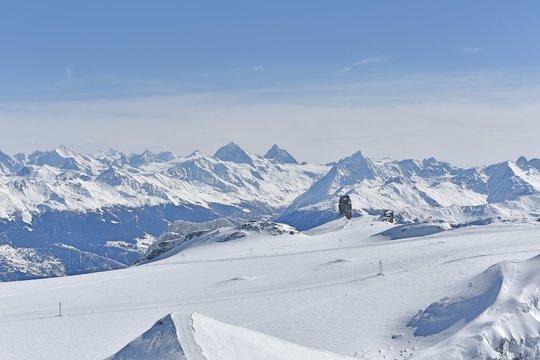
63, 180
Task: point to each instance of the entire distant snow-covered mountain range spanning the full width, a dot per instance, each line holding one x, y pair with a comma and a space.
62, 212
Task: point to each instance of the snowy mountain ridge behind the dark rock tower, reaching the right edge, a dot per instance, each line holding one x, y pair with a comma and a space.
422, 191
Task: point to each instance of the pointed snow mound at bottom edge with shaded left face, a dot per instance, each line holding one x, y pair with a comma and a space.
197, 337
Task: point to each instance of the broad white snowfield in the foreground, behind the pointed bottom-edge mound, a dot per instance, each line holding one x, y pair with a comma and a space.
318, 289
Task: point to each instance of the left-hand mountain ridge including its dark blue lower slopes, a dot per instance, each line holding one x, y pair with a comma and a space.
102, 205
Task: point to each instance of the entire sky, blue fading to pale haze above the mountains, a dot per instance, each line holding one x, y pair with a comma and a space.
389, 79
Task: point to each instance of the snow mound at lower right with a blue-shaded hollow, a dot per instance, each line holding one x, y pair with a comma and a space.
494, 316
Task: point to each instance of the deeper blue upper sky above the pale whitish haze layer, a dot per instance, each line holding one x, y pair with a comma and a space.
83, 48
